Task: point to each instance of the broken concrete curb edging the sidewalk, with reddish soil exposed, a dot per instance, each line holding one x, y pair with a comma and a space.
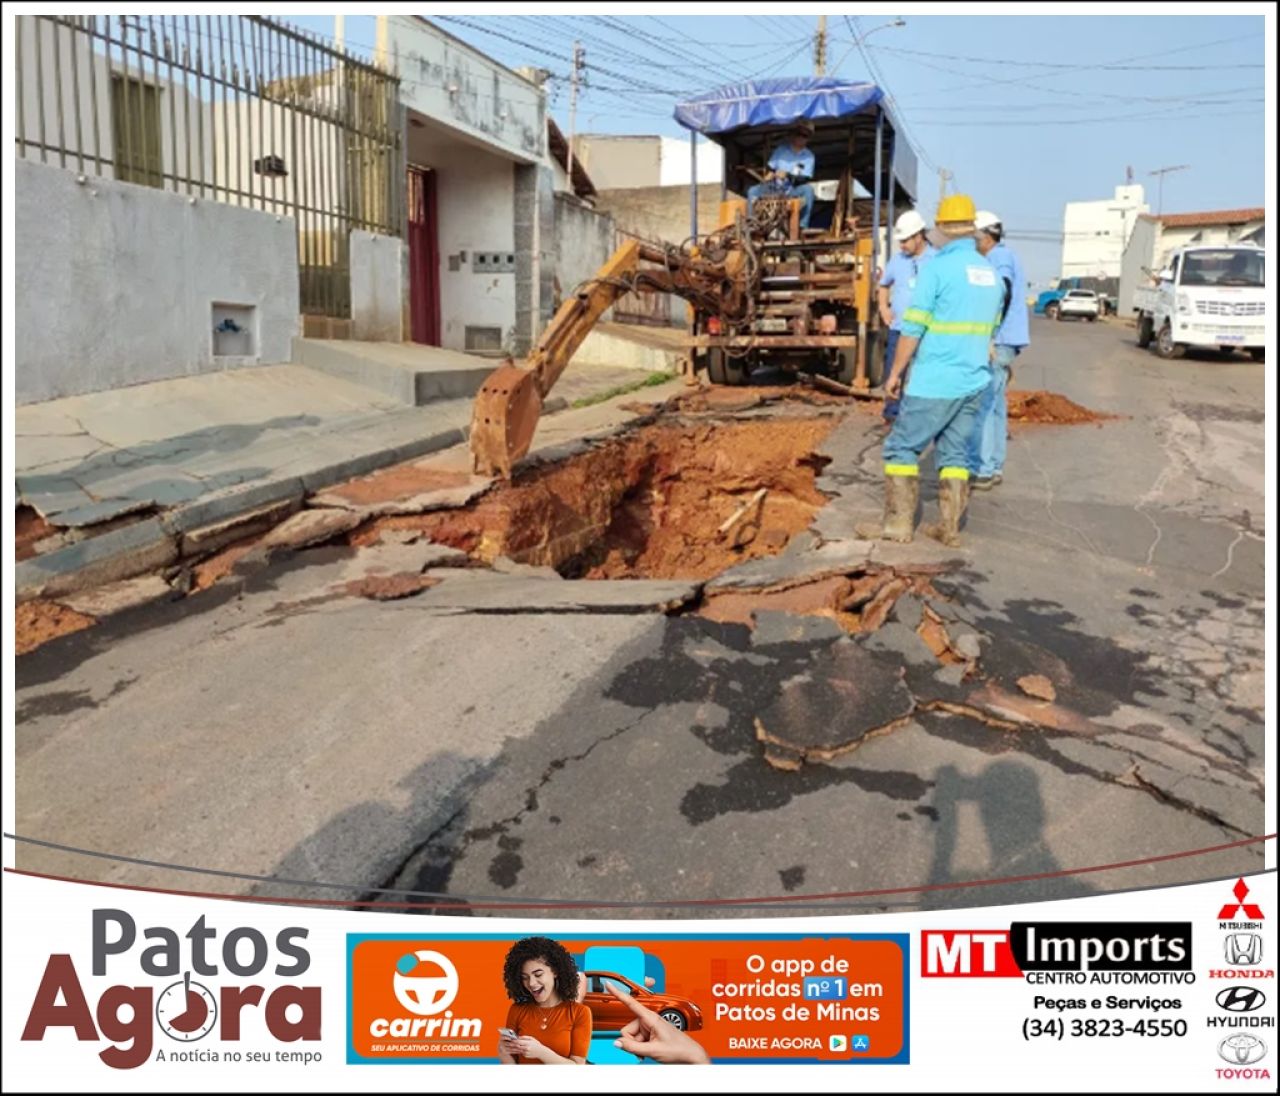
145, 546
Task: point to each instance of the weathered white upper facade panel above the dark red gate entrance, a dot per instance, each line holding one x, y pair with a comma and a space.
473, 95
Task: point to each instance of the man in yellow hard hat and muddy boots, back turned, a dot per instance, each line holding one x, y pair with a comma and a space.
945, 337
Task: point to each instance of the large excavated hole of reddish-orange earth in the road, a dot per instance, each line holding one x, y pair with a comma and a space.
665, 503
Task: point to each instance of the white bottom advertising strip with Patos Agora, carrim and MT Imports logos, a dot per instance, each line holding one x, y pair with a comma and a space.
111, 989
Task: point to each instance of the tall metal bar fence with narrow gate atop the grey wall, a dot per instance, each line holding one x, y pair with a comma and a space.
241, 109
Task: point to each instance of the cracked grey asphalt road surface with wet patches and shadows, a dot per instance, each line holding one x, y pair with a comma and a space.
510, 743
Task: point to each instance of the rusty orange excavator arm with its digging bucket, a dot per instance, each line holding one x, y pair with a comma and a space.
510, 403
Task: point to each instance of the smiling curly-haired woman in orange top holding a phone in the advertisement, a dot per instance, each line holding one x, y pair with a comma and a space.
551, 1026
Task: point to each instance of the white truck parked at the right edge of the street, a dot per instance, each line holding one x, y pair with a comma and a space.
1208, 298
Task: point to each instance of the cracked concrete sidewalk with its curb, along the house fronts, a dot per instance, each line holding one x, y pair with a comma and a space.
130, 481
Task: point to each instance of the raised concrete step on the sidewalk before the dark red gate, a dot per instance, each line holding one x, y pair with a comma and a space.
409, 373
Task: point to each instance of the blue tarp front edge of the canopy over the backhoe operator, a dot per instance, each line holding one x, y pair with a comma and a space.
776, 103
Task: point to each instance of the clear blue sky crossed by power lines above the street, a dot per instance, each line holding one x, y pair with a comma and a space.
1028, 112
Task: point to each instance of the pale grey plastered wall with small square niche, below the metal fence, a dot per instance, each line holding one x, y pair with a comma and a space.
117, 284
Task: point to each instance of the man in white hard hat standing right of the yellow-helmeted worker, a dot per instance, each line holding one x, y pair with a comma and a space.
990, 437
